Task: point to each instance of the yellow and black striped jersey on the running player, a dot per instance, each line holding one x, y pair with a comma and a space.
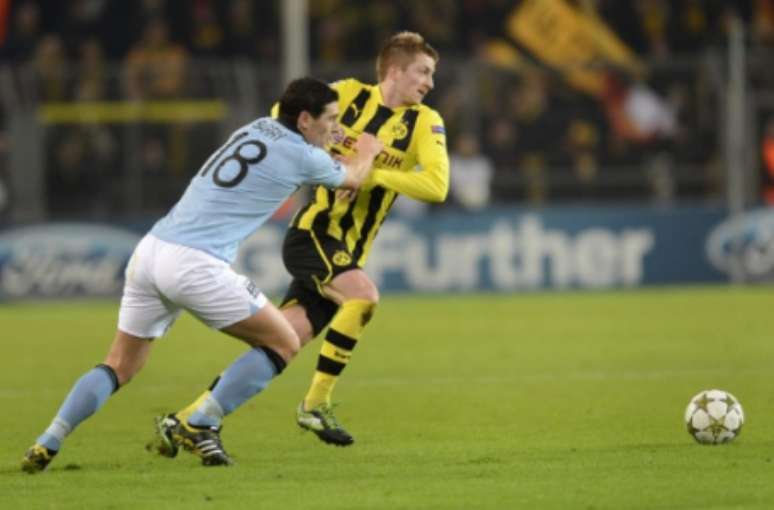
414, 162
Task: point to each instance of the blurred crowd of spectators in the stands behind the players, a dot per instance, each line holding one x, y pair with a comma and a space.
518, 133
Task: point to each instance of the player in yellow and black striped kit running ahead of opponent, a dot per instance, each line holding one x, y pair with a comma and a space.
330, 238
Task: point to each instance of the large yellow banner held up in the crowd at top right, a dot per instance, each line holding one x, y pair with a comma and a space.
576, 44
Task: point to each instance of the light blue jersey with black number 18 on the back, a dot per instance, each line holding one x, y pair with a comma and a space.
242, 184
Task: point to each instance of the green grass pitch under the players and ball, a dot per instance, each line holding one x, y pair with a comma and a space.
538, 401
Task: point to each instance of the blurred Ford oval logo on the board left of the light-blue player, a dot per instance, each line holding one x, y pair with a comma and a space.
68, 259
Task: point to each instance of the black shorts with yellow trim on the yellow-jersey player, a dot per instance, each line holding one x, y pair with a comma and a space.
313, 260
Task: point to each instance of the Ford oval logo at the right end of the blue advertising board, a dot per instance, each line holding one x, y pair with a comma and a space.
749, 240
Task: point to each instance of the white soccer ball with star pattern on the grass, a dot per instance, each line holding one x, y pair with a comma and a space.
714, 417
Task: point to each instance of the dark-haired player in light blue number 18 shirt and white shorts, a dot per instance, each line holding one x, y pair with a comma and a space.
184, 263
